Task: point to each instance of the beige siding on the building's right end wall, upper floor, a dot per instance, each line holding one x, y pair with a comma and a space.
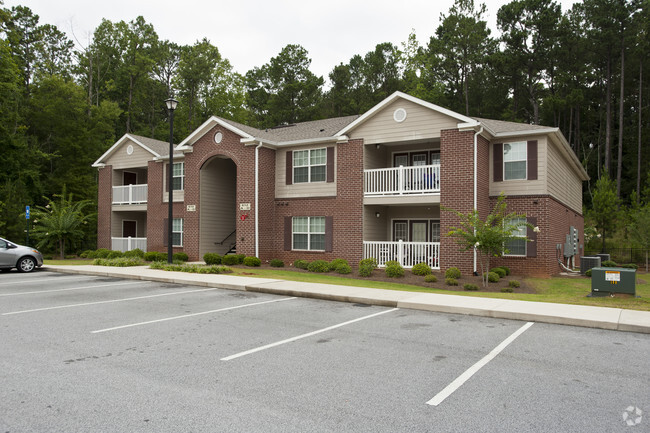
563, 182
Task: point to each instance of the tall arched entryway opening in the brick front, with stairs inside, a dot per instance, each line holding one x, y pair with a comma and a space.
218, 201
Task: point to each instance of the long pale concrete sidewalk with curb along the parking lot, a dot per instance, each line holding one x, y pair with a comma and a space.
563, 314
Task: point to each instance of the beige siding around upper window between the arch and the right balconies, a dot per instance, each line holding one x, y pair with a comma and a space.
309, 189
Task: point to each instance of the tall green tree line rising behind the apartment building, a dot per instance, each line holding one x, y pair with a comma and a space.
62, 105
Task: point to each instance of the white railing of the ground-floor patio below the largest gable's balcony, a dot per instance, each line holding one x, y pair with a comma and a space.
408, 254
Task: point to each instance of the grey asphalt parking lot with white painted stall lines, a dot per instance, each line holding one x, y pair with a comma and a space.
83, 353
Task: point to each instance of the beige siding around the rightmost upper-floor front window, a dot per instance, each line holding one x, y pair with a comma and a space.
522, 187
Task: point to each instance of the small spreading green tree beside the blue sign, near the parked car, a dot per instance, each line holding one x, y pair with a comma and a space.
60, 221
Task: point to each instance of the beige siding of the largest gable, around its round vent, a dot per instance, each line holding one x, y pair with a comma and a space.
421, 123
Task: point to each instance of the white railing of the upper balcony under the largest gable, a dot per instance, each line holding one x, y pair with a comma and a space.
421, 179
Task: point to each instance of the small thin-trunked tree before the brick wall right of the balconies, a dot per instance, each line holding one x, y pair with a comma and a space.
489, 237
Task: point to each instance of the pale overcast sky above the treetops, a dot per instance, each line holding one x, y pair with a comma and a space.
250, 32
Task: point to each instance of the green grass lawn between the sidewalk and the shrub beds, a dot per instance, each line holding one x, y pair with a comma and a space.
562, 290
